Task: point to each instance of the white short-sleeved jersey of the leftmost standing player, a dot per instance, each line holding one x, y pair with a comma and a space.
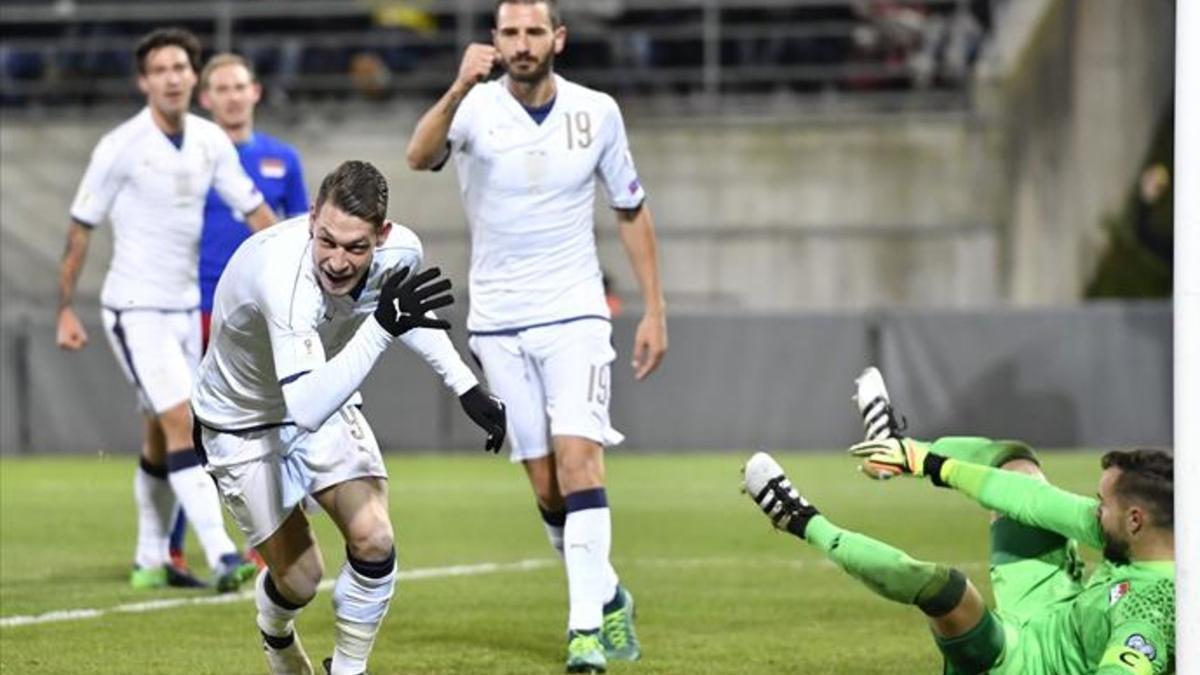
154, 196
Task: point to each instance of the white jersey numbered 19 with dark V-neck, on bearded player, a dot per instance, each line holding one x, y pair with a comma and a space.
530, 192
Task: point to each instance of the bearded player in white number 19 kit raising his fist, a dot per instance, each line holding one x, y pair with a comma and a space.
530, 148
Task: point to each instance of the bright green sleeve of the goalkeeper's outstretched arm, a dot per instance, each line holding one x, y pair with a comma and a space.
1028, 500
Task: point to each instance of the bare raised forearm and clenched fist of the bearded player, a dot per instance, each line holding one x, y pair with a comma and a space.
428, 147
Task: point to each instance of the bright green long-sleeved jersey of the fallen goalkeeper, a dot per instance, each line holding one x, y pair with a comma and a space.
1123, 620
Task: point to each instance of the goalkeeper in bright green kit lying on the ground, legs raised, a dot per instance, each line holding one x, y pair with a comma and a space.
1047, 620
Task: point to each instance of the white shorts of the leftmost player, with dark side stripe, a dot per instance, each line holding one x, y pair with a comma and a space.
159, 351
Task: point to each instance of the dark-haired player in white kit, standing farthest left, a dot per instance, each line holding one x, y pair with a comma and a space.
149, 178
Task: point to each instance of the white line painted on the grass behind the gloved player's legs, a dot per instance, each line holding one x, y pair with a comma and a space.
171, 604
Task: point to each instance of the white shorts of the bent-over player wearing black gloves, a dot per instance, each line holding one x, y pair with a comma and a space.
289, 465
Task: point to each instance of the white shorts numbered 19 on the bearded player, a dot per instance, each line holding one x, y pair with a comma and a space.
556, 381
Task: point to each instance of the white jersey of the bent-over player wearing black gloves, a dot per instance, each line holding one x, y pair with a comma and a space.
273, 322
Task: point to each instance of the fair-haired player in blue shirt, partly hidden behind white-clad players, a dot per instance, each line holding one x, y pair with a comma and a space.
230, 91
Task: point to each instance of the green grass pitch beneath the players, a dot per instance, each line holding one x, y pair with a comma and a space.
718, 592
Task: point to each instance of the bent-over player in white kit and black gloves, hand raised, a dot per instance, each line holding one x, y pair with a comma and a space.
302, 314
